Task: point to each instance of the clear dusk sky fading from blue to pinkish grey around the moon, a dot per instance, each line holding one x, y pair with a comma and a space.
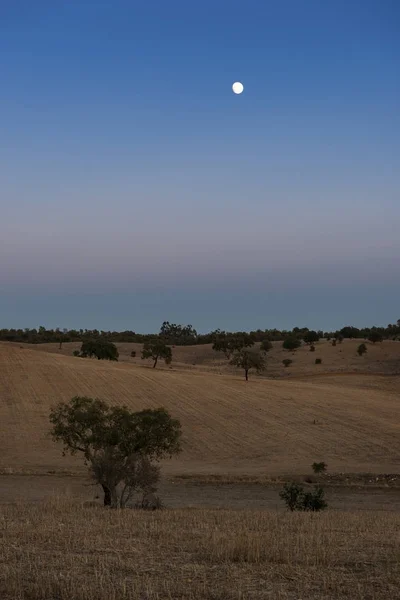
136, 187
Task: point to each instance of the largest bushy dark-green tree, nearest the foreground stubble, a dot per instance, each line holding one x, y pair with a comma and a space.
120, 447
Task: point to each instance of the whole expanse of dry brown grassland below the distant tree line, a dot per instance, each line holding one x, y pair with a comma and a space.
225, 534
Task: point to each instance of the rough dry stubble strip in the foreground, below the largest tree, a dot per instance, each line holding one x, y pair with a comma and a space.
63, 551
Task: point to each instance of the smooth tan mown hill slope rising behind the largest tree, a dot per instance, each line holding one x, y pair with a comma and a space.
264, 426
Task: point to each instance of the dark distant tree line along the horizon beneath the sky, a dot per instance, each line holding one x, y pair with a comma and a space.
186, 335
